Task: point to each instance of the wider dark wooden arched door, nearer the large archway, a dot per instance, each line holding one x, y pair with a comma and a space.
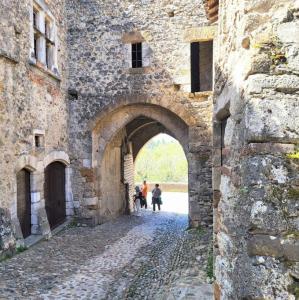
55, 193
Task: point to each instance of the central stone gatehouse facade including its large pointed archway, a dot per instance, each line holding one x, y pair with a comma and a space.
115, 107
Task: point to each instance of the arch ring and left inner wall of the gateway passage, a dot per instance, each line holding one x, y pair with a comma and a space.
117, 139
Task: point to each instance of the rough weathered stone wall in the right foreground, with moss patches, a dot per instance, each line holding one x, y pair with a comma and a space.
256, 184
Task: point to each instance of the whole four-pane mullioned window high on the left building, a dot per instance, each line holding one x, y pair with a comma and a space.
44, 48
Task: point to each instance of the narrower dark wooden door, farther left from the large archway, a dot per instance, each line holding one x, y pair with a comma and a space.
24, 201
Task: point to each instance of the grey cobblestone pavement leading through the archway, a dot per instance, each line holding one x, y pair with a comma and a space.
151, 256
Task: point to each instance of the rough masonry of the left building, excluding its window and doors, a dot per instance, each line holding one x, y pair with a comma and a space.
31, 101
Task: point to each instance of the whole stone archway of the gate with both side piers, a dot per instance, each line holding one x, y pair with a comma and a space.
117, 136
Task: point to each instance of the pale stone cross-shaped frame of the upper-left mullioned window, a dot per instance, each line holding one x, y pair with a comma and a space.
45, 39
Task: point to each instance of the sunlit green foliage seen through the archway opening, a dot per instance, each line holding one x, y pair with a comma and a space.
161, 160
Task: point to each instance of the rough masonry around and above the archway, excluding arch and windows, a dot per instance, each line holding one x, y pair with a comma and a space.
101, 80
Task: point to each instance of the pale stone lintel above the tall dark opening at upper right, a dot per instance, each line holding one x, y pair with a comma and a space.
200, 34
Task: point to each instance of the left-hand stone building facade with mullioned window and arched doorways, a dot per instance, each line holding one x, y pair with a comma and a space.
34, 116
